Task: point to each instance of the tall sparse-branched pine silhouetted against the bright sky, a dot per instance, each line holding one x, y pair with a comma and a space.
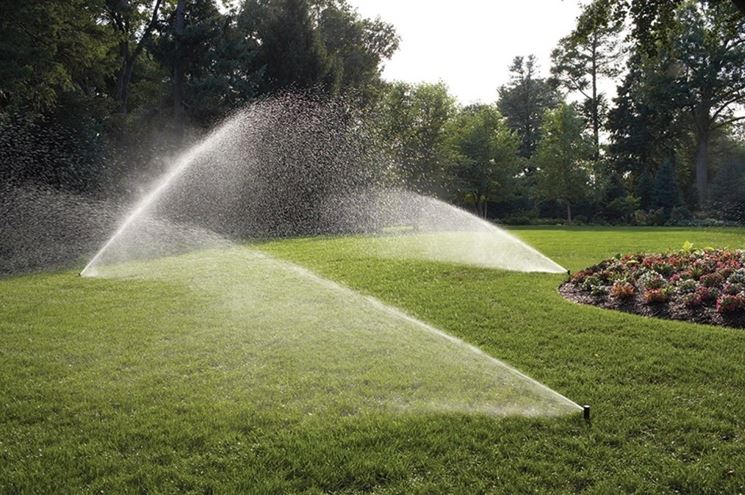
589, 53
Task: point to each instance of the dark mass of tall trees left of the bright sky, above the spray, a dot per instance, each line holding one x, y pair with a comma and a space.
92, 90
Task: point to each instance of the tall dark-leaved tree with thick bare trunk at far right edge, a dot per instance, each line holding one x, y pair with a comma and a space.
707, 58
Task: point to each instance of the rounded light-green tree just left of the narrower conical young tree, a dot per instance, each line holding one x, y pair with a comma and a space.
486, 152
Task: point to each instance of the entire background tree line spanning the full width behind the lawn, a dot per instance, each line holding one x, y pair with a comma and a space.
92, 91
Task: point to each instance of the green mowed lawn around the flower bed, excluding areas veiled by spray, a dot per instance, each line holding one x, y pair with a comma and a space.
129, 386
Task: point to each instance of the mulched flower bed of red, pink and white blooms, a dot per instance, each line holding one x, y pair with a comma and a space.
703, 286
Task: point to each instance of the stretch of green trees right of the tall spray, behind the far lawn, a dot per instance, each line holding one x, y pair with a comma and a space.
667, 149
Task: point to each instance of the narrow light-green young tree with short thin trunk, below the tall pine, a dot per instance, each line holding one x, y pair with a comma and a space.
562, 158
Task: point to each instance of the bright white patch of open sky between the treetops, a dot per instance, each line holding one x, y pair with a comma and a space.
469, 44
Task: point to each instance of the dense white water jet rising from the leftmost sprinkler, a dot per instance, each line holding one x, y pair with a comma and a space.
180, 166
